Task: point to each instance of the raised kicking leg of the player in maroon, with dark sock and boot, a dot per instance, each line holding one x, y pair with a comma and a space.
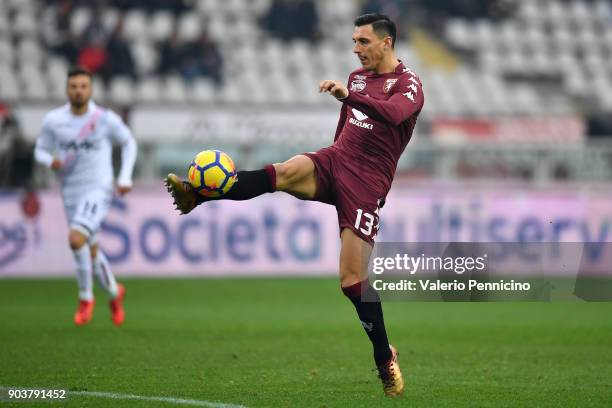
296, 176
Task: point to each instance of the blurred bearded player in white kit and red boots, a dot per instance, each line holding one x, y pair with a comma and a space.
76, 140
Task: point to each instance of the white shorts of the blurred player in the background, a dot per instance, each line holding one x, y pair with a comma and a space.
86, 212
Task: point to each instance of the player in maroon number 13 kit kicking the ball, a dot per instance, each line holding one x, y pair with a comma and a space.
379, 110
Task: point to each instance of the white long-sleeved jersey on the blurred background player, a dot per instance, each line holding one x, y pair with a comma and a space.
84, 145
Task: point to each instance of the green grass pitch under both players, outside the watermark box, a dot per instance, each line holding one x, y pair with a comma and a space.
297, 343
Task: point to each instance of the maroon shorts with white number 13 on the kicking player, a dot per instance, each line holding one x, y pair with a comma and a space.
354, 194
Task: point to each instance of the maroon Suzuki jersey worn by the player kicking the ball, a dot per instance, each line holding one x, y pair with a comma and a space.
377, 120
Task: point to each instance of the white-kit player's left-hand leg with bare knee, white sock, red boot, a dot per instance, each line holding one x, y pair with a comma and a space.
81, 251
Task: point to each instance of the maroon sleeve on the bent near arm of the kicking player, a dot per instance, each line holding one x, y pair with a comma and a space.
404, 103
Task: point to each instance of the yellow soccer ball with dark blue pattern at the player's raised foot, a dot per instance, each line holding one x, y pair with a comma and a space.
212, 173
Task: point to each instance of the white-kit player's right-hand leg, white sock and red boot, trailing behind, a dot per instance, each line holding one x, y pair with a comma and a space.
106, 279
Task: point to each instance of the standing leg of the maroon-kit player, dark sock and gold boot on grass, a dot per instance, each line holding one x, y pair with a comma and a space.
354, 256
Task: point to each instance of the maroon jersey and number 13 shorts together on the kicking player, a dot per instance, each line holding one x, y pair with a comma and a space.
376, 122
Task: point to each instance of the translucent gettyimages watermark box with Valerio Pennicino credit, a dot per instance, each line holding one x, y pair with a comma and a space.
491, 271
